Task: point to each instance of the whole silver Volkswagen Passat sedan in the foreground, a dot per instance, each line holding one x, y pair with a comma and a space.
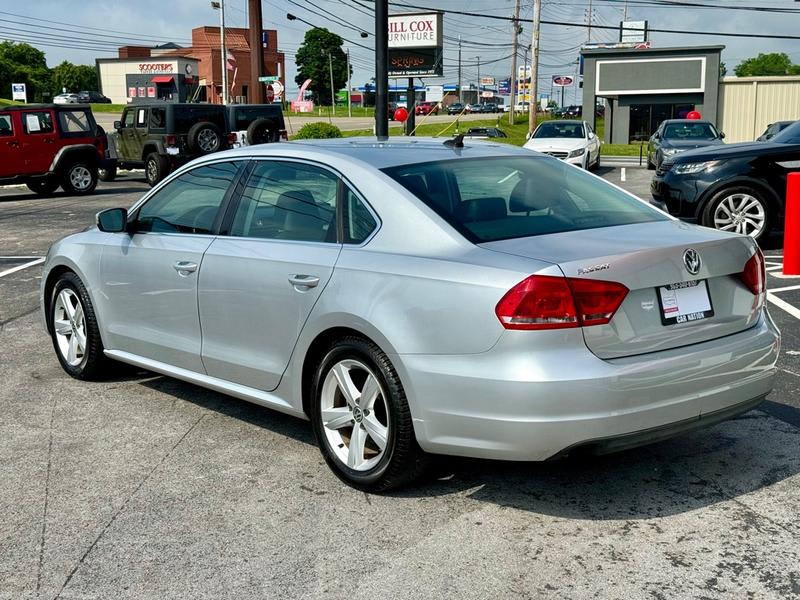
414, 297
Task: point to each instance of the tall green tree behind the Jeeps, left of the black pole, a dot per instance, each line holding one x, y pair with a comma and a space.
313, 63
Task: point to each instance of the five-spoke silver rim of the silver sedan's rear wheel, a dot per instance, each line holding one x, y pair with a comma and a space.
354, 415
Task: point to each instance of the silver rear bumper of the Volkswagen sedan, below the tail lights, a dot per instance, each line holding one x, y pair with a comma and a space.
517, 403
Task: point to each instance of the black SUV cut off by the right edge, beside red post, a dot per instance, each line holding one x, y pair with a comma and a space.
733, 187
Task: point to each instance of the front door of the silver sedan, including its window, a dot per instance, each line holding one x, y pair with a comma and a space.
148, 284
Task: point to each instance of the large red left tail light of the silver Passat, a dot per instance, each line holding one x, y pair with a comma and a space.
545, 302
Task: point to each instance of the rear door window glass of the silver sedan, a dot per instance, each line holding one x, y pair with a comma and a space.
288, 201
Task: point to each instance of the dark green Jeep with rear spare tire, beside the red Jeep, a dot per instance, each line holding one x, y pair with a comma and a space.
160, 136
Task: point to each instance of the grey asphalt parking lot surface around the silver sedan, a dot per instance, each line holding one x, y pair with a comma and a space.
148, 487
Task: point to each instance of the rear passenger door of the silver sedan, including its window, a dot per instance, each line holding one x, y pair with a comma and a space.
259, 283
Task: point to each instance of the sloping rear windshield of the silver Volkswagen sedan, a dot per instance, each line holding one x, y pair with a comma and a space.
507, 197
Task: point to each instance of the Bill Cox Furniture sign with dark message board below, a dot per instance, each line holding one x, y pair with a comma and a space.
415, 45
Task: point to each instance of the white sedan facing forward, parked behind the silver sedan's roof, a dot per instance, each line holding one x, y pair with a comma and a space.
571, 141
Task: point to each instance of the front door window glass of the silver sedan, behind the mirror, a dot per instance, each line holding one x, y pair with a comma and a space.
189, 203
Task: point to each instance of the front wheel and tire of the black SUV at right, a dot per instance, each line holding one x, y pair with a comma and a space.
740, 209
